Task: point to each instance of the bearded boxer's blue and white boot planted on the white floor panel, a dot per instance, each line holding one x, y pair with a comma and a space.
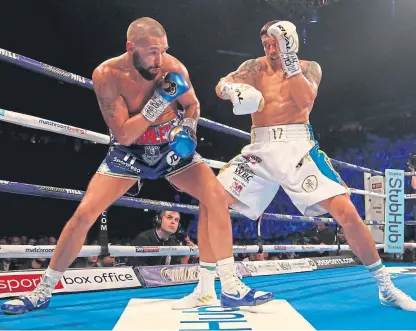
234, 292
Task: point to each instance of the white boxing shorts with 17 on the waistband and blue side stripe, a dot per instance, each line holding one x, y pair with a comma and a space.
282, 155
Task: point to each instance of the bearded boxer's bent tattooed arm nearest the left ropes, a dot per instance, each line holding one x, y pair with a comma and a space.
114, 109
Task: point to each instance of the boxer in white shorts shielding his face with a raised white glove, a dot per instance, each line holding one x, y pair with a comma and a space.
279, 91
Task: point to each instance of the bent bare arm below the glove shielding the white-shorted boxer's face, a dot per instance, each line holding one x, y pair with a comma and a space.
304, 88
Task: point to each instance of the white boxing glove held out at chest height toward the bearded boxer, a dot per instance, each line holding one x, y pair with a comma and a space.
245, 98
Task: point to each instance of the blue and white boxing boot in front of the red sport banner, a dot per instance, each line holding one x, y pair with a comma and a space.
39, 298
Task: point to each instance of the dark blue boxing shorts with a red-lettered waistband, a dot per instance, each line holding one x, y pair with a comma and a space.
149, 157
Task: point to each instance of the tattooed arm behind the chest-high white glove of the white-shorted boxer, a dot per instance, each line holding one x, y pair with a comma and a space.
246, 74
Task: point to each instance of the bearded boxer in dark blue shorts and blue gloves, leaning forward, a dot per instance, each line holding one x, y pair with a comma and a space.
147, 100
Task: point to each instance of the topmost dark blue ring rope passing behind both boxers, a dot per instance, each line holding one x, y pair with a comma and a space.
62, 75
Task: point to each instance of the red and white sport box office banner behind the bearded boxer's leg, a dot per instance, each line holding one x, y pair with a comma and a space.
76, 280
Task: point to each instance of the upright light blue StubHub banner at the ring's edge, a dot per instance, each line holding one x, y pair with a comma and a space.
394, 228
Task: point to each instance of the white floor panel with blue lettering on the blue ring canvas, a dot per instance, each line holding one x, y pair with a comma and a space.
275, 315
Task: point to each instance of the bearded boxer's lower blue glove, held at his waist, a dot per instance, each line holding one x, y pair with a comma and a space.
182, 138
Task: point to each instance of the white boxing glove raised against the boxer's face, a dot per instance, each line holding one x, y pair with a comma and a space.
286, 35
